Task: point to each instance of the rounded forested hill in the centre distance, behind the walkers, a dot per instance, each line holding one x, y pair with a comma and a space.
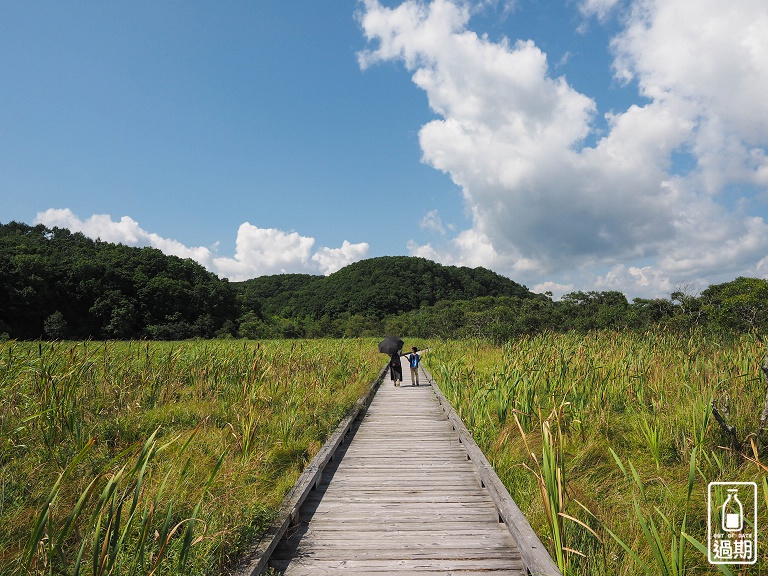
377, 287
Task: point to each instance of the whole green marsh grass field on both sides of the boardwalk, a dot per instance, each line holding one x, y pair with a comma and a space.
168, 458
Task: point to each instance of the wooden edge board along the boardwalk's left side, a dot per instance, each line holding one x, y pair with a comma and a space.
255, 560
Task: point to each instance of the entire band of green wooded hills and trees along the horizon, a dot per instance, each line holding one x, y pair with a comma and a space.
56, 284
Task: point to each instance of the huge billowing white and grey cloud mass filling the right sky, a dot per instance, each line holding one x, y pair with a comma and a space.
543, 203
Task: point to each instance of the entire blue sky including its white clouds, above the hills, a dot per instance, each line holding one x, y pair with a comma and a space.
574, 145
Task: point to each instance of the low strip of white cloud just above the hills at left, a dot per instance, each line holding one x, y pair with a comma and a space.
258, 251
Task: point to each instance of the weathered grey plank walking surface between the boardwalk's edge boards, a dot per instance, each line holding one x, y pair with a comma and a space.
401, 497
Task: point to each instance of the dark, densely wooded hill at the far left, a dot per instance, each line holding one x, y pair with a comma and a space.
62, 285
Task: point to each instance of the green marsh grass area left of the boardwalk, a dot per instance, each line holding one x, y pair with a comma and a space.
159, 458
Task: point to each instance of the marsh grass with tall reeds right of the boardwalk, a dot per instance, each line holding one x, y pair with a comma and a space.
605, 440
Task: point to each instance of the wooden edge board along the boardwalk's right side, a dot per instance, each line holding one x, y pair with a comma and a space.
537, 560
